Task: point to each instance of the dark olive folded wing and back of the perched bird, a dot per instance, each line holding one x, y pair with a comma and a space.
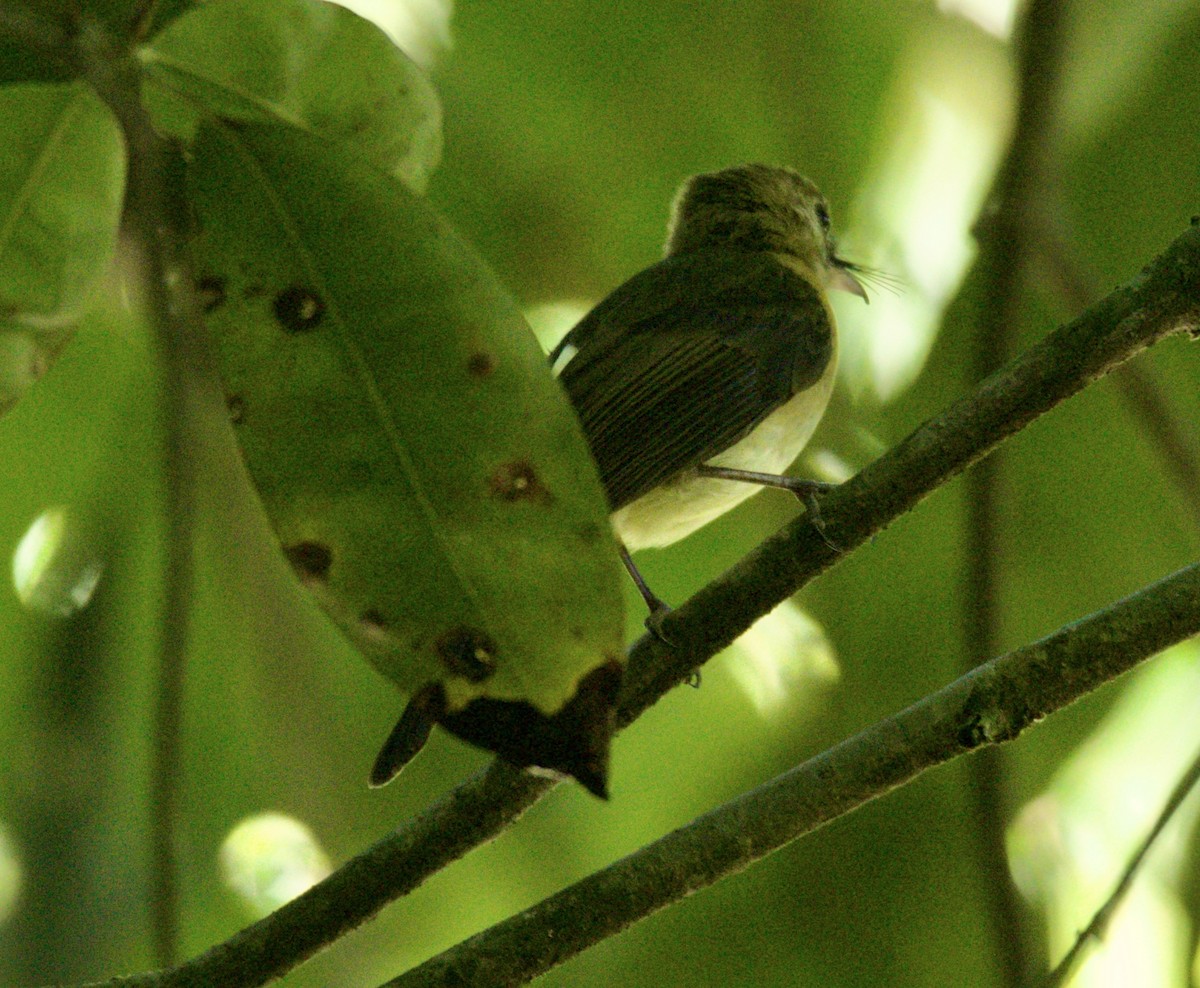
686, 358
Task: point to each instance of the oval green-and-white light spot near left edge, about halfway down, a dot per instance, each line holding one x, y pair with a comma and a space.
57, 565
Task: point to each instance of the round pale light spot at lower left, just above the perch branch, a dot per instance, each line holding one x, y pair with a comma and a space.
271, 859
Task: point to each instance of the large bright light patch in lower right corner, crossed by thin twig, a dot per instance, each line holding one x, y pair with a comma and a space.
1069, 845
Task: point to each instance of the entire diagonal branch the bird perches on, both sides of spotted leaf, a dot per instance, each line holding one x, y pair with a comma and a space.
1162, 301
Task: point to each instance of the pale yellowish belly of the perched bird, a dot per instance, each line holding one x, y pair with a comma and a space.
679, 508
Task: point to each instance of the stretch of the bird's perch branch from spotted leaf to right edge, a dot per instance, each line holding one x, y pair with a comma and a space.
1165, 300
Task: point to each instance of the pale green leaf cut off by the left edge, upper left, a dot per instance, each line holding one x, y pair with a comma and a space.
62, 182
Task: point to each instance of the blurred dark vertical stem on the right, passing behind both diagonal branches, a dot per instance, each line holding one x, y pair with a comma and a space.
1005, 235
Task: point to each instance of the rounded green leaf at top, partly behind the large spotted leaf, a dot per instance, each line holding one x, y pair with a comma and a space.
314, 65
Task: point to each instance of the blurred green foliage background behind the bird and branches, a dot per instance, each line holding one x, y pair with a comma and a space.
568, 125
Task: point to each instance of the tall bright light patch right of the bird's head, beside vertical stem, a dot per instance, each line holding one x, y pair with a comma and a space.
921, 195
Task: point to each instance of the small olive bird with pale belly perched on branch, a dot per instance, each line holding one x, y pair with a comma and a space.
700, 380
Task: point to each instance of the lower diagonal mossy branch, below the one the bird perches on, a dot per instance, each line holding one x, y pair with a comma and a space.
991, 705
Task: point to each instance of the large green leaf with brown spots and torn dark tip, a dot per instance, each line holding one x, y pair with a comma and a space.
424, 474
